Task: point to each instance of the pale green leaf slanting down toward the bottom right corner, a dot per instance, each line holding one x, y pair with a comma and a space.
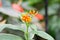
43, 35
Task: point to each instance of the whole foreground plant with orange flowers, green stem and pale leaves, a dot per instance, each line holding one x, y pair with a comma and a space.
29, 29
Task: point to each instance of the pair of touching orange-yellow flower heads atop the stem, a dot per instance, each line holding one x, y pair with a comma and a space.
27, 18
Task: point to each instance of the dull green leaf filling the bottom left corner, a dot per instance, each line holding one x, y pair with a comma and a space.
4, 36
